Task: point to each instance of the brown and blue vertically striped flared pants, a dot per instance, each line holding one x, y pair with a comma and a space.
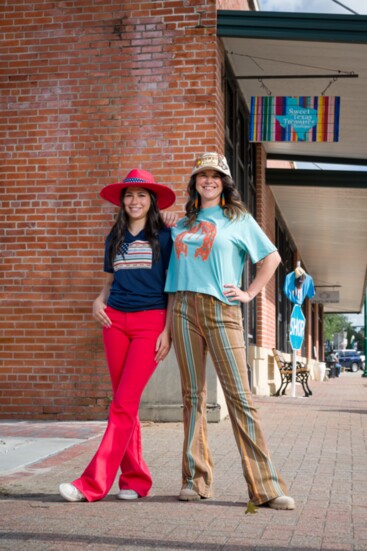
201, 323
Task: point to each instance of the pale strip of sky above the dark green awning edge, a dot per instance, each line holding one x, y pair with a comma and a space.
315, 6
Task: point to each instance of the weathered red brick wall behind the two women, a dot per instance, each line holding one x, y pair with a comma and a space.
89, 90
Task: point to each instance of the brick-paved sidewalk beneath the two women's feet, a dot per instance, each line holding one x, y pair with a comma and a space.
318, 444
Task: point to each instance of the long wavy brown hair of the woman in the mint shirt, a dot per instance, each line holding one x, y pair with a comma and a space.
233, 207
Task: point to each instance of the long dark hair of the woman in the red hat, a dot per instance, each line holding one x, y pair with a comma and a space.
153, 224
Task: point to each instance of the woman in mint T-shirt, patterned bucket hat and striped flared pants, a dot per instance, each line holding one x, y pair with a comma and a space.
211, 245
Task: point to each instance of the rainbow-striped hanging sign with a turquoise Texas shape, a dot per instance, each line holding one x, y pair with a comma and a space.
294, 118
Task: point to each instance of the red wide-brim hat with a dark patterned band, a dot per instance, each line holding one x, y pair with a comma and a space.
139, 178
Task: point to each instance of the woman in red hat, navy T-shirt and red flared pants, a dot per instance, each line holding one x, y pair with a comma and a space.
132, 310
